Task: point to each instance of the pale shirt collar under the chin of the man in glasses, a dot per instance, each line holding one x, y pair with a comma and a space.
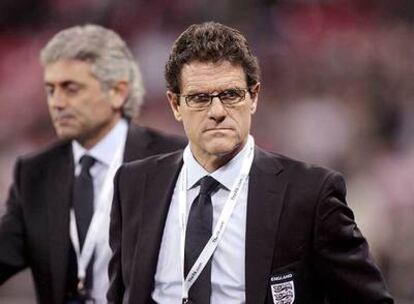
225, 175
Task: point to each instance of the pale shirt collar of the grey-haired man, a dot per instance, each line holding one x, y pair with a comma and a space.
104, 150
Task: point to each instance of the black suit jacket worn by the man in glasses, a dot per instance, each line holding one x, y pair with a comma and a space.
298, 226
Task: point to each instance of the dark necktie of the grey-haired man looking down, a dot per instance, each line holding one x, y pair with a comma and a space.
83, 197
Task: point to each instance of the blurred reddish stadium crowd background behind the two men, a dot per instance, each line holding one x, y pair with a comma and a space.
337, 90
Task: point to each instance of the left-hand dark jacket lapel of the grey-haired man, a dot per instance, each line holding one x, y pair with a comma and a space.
59, 181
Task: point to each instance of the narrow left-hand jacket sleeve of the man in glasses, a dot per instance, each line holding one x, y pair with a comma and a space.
116, 284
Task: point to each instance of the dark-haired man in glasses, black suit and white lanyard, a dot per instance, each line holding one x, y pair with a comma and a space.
233, 223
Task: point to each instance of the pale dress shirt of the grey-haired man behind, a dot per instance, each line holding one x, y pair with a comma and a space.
104, 153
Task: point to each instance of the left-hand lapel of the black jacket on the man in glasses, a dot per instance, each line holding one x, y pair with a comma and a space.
155, 205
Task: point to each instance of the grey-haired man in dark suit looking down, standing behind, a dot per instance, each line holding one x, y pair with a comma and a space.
56, 208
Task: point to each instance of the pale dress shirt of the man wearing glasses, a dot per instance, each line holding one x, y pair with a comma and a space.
228, 261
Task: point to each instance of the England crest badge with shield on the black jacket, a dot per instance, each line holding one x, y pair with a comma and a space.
283, 289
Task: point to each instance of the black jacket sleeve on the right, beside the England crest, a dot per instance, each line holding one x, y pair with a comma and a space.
342, 257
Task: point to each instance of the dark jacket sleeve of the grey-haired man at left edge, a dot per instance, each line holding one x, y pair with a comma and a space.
12, 232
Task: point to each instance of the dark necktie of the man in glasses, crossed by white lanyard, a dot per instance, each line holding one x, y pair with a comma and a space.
198, 232
